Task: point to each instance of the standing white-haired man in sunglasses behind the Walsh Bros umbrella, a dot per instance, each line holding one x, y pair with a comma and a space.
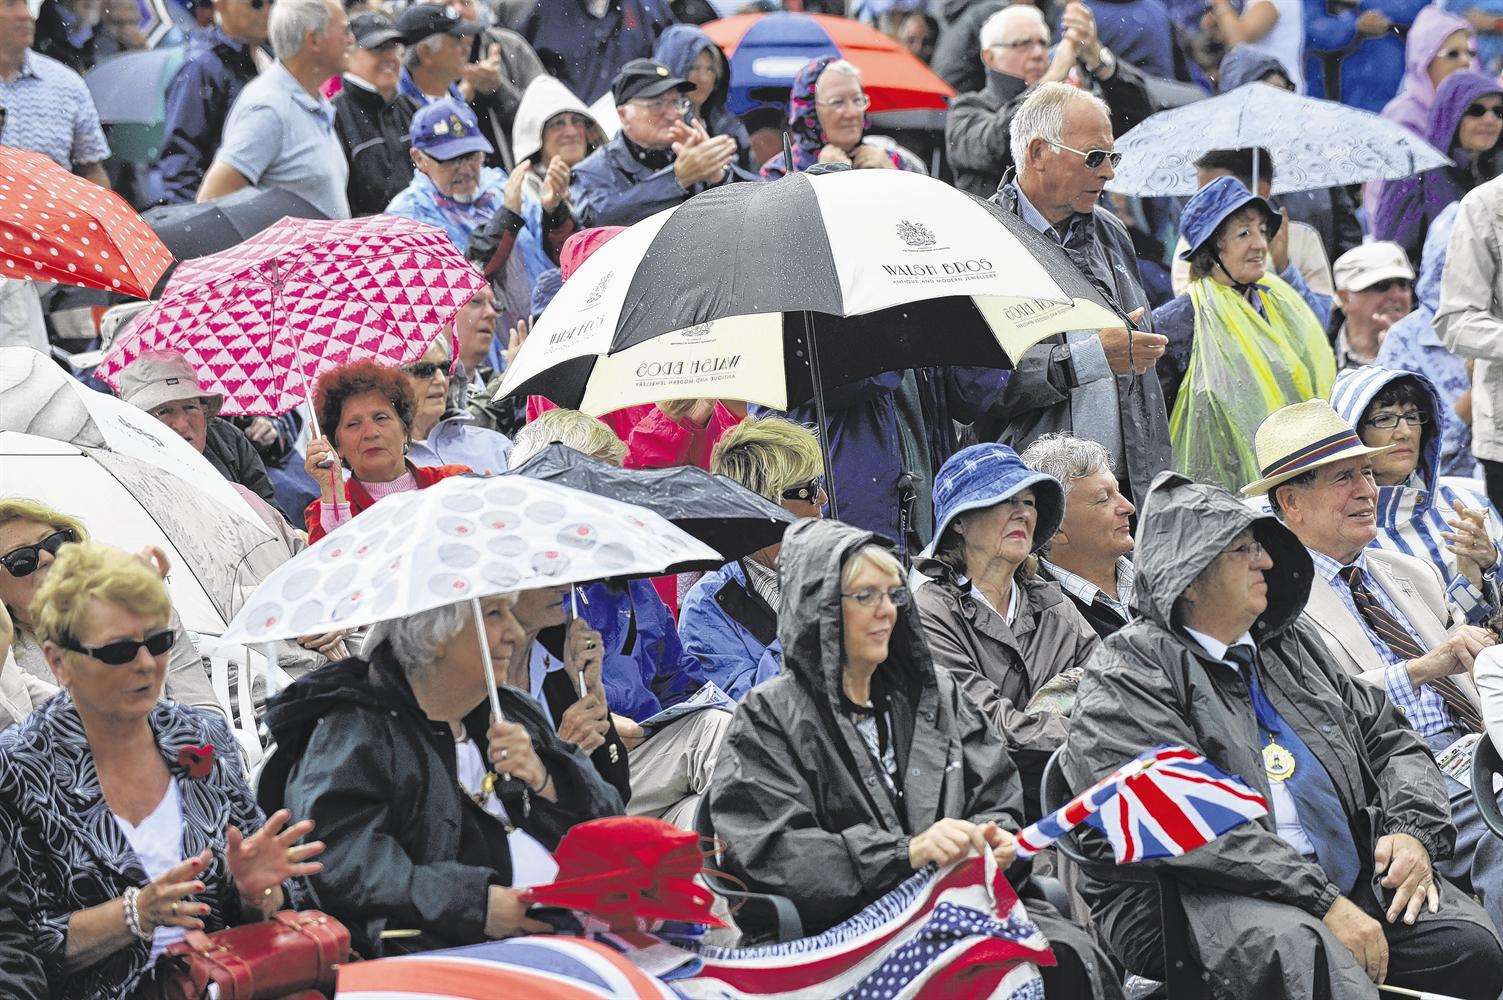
1099, 386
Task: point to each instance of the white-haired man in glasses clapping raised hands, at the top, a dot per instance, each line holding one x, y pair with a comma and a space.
1015, 52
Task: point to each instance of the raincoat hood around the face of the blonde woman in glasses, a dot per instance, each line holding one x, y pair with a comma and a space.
809, 614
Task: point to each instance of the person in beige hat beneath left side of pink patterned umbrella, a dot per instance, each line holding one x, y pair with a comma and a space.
166, 386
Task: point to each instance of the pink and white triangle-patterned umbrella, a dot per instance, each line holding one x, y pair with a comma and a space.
264, 320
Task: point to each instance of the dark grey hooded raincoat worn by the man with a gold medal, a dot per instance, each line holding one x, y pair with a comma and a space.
1152, 683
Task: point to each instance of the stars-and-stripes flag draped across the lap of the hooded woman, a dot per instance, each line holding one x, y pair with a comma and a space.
955, 933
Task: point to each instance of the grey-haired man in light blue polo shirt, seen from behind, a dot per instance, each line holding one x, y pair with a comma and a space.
280, 133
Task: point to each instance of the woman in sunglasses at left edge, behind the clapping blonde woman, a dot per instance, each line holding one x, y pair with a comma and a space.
31, 538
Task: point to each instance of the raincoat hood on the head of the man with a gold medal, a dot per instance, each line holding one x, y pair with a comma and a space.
1185, 526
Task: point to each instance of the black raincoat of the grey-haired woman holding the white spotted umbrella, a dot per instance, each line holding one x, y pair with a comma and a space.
407, 847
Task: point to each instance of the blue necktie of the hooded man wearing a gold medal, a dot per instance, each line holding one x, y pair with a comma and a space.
1317, 805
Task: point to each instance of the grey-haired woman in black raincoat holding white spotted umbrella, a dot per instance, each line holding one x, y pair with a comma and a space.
437, 813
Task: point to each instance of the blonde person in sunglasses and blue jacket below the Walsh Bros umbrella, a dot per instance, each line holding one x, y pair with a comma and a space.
730, 617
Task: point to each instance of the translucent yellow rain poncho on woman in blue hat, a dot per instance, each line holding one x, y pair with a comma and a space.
1242, 369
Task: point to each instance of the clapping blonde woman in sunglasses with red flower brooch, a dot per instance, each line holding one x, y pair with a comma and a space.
130, 816
